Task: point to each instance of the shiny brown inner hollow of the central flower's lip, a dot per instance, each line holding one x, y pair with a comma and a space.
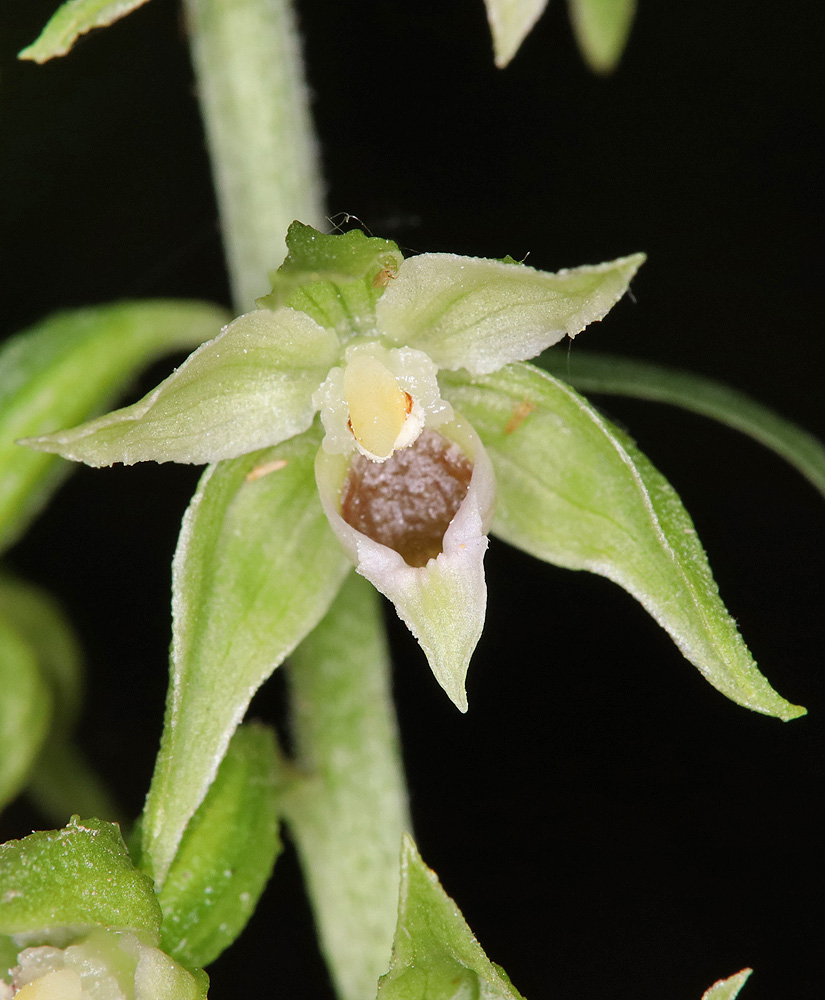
408, 501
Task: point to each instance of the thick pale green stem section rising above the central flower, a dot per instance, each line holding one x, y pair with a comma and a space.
255, 107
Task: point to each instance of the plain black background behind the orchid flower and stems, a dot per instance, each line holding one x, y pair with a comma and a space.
610, 825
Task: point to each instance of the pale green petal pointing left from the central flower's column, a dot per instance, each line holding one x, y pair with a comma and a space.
249, 388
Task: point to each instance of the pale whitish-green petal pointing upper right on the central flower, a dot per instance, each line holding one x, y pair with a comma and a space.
468, 312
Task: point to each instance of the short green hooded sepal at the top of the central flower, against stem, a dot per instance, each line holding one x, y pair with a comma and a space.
336, 279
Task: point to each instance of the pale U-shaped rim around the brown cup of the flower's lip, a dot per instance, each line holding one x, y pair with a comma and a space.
471, 520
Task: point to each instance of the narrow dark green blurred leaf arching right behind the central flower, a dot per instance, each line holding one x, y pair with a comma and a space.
613, 375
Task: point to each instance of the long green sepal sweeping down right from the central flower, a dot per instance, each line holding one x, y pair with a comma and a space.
575, 491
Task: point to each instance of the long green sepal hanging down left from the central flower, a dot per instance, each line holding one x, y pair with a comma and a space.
256, 567
